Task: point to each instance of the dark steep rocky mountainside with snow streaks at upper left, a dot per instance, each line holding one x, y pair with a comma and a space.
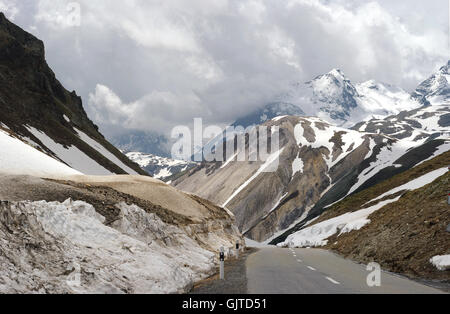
36, 108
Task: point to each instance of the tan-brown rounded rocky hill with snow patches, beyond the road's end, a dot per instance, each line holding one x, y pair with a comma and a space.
314, 156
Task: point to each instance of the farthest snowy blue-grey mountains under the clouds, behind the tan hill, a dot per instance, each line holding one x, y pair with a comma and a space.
367, 107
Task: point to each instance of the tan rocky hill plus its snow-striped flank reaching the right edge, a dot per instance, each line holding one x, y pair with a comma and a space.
319, 165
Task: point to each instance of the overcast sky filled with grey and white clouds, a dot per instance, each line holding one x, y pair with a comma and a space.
151, 65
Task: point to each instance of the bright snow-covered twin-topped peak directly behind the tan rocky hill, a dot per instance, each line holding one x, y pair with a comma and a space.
335, 99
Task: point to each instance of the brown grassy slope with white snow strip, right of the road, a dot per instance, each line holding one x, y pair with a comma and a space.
400, 223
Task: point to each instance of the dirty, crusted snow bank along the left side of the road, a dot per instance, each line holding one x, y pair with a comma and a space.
50, 244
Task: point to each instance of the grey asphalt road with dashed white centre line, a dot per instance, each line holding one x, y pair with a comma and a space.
312, 271
